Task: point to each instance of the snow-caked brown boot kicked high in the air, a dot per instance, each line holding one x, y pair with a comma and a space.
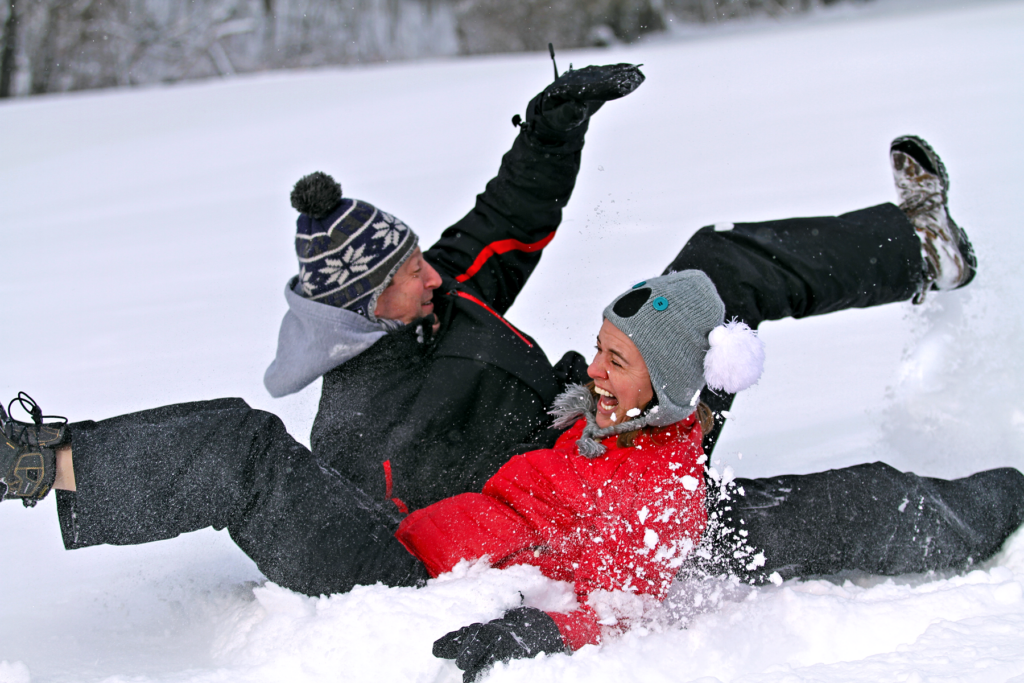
923, 187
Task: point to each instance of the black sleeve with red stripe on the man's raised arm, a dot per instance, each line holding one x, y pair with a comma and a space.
495, 248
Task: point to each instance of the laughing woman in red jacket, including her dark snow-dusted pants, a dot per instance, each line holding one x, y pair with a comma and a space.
610, 514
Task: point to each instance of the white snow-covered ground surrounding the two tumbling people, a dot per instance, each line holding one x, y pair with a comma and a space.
146, 238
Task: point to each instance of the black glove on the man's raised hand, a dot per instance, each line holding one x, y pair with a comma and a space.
580, 93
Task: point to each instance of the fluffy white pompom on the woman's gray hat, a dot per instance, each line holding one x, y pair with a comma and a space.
737, 358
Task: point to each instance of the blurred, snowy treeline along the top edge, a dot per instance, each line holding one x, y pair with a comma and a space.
62, 46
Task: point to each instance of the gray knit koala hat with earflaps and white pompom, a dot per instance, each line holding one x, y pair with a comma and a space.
676, 322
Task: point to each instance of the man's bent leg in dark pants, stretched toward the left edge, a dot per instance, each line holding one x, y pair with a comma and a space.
159, 474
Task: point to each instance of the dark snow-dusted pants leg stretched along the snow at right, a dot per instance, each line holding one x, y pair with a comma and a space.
876, 520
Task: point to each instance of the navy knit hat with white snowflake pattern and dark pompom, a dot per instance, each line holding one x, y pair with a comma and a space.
349, 250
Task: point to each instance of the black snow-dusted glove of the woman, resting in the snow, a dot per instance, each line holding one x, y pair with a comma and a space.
522, 633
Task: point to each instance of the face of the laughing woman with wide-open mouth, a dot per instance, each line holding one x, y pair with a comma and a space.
620, 376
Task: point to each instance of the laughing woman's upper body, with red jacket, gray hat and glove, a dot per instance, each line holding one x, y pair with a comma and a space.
619, 503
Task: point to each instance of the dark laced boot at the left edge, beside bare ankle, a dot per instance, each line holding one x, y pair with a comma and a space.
28, 455
